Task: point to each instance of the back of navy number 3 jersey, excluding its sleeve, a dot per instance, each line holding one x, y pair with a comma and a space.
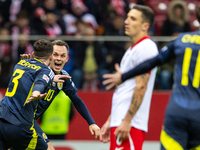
20, 89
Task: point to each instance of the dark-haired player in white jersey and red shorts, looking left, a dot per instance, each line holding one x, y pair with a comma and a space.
131, 100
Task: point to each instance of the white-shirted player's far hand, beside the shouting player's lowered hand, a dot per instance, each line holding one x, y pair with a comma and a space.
105, 132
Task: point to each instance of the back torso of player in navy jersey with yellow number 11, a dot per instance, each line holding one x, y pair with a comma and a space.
186, 90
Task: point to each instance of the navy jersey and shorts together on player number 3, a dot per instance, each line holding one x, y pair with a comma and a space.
17, 117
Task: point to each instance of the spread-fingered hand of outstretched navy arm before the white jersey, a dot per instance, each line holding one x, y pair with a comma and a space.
112, 80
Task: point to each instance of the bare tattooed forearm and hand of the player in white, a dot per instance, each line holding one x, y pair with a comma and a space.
139, 91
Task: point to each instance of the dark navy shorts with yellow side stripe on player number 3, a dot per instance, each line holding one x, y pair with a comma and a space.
20, 137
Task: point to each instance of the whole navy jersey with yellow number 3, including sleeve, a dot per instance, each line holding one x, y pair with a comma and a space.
28, 76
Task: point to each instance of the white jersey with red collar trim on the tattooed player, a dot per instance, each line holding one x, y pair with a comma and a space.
144, 49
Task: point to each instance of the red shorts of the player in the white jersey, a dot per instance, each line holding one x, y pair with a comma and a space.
134, 141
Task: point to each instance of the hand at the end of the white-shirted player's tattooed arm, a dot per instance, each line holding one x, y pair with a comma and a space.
122, 131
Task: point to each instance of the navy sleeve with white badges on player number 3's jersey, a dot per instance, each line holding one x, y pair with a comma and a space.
43, 79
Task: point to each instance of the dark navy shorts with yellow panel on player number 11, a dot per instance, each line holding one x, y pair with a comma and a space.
180, 133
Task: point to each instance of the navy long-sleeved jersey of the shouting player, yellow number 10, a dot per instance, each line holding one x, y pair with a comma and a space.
70, 90
